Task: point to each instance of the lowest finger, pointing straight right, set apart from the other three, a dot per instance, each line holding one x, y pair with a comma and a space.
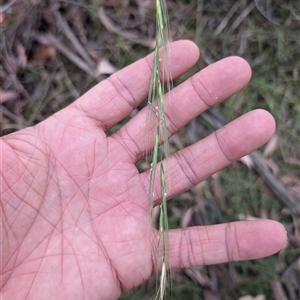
221, 243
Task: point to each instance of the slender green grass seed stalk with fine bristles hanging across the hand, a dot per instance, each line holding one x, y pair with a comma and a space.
160, 79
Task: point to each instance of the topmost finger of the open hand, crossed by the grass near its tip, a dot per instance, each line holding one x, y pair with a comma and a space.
114, 98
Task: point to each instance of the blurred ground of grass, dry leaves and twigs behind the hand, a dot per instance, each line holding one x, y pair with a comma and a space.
54, 51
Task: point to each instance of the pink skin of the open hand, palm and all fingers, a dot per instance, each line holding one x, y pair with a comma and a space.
74, 206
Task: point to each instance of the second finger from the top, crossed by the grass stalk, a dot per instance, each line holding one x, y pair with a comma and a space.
185, 102
